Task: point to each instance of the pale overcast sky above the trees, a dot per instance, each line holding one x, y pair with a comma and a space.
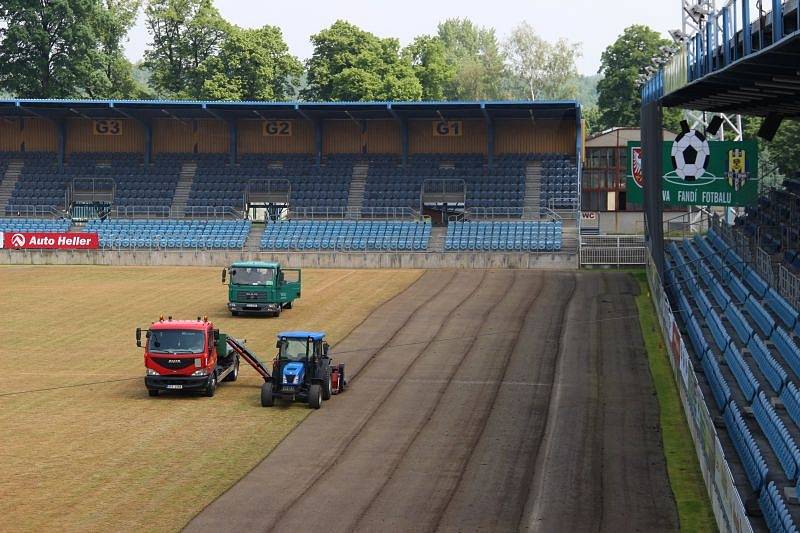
595, 23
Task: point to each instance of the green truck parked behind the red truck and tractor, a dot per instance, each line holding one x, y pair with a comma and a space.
261, 287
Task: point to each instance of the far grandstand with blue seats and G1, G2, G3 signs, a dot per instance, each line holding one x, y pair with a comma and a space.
444, 177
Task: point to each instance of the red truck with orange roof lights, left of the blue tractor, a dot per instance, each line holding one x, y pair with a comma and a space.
188, 355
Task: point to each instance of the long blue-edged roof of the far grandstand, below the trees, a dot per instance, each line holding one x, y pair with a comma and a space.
149, 109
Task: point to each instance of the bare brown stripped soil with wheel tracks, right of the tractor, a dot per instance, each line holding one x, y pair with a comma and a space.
479, 401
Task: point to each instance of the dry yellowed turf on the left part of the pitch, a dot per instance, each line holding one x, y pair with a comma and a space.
82, 446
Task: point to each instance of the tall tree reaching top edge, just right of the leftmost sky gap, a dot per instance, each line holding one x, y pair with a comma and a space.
184, 33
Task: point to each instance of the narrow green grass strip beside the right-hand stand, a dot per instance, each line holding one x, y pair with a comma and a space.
691, 497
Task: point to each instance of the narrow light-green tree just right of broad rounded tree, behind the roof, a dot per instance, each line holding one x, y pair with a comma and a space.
428, 58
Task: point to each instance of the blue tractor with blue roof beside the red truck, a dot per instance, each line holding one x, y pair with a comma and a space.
303, 370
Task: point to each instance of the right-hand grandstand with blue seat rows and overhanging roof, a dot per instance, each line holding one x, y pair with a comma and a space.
730, 295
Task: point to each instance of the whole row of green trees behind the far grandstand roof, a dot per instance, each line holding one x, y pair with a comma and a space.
74, 48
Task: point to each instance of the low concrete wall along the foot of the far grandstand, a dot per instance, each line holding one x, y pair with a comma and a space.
295, 259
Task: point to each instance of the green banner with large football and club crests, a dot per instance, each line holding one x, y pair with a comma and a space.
699, 172
